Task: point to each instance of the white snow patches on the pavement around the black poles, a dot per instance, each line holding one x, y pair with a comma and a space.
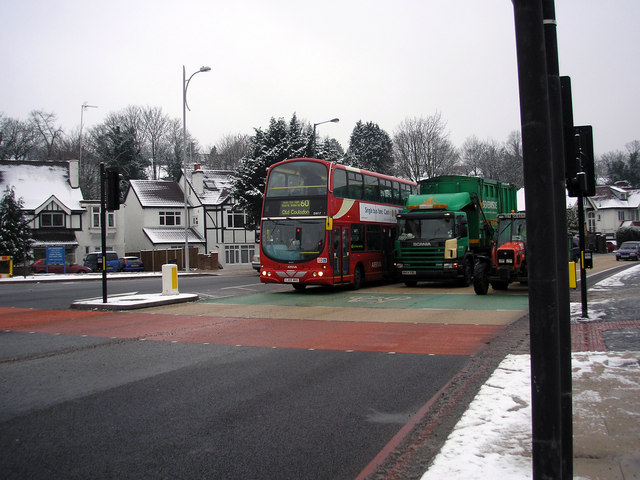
493, 437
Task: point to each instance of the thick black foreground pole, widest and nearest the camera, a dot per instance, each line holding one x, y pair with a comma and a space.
542, 207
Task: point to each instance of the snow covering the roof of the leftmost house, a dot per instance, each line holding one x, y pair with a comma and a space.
36, 182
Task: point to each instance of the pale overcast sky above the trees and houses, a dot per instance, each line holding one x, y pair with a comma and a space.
373, 60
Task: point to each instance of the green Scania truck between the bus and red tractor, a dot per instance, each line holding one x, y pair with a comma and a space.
452, 221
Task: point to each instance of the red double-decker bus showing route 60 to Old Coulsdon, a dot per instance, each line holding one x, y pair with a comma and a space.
328, 224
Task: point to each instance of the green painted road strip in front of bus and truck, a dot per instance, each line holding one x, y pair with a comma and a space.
433, 301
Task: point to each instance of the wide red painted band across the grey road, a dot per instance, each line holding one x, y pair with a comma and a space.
259, 332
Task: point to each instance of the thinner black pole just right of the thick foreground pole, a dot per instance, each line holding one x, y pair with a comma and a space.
559, 190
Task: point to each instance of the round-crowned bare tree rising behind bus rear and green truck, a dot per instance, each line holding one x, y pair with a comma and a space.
422, 148
